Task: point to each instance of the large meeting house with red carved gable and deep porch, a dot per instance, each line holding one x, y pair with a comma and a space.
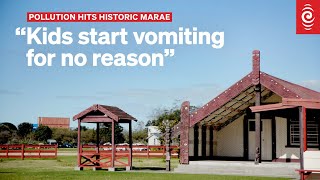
231, 127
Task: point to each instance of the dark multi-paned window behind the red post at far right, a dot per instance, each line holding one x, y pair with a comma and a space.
312, 132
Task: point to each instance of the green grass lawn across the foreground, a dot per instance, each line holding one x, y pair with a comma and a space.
63, 168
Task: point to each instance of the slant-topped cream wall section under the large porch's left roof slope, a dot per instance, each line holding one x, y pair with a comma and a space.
230, 139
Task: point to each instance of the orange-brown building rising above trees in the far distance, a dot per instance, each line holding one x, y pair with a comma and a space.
54, 122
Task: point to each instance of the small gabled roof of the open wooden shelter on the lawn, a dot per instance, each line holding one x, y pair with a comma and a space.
98, 111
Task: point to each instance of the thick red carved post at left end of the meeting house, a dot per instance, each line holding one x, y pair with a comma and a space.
184, 133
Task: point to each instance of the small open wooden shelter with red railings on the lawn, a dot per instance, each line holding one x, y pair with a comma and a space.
104, 156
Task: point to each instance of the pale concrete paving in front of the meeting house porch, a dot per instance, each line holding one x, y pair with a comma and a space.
242, 168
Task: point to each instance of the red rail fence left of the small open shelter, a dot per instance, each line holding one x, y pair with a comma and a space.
28, 151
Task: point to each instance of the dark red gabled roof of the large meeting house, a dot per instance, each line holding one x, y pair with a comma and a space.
233, 101
